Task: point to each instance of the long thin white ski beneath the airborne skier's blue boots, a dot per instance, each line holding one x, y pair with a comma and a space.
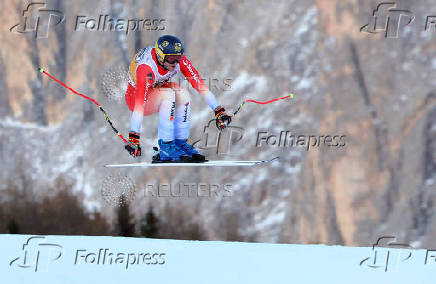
204, 164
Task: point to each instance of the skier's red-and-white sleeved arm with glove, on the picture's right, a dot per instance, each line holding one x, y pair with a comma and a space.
192, 75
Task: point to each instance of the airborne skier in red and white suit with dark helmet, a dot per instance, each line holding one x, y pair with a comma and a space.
149, 91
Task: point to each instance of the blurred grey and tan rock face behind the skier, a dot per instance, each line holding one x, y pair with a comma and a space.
373, 89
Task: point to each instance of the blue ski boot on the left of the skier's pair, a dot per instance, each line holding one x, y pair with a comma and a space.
169, 152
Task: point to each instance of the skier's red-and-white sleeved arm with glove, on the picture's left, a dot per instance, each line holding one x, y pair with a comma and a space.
144, 80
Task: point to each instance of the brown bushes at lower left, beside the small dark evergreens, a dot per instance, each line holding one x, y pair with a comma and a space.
60, 213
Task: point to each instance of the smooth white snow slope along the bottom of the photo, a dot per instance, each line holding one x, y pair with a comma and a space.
83, 259
